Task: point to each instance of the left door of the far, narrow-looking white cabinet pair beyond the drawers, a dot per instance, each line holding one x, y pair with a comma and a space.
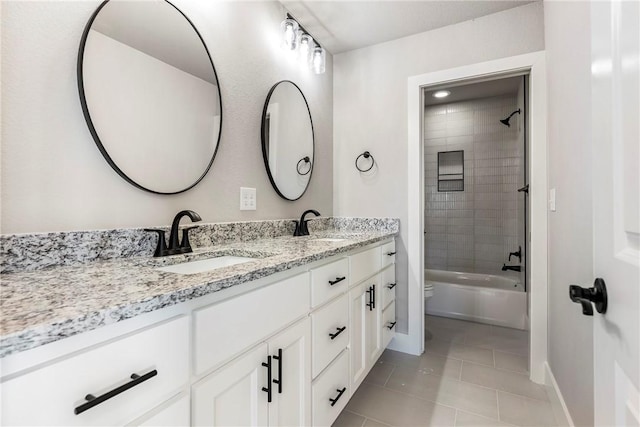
358, 299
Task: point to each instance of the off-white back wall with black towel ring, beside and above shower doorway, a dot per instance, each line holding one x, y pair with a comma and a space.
370, 109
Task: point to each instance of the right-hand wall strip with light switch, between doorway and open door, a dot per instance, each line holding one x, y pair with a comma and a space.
567, 34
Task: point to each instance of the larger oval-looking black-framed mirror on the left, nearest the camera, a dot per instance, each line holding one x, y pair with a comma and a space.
150, 94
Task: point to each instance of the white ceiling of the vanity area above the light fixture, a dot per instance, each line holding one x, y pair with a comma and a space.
346, 25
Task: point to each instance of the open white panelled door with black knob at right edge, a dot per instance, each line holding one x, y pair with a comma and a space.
616, 160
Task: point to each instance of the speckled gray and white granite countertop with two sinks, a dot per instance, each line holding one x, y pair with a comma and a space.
40, 307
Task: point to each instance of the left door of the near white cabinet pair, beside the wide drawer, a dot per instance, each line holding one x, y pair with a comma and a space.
233, 395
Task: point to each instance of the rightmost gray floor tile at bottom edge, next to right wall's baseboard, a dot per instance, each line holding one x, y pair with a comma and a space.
523, 411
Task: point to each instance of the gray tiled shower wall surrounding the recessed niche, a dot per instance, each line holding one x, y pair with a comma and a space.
473, 230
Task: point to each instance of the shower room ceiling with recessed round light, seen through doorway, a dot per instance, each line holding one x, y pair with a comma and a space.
486, 89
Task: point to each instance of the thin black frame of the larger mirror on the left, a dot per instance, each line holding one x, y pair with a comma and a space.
87, 116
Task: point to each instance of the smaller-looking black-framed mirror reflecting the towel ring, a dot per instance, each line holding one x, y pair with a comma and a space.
287, 140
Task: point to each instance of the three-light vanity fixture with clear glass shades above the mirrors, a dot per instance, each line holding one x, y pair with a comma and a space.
296, 38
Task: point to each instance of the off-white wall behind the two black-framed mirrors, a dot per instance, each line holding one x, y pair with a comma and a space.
53, 176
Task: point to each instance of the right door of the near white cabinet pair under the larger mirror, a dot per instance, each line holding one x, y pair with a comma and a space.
291, 357
